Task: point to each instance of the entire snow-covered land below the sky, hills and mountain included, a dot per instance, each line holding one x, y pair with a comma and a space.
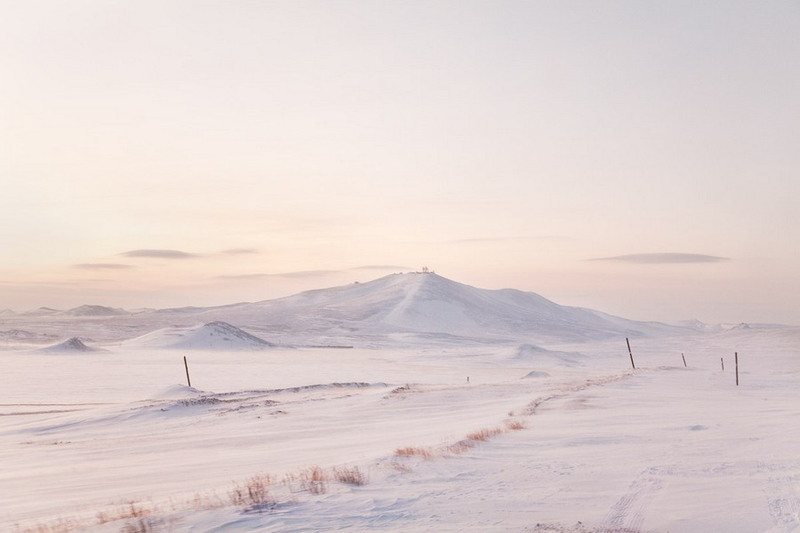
447, 407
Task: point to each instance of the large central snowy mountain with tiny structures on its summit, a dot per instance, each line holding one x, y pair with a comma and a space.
432, 306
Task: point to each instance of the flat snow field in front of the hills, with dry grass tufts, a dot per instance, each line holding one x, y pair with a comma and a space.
662, 448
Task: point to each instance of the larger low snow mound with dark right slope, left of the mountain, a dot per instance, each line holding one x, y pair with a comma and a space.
211, 336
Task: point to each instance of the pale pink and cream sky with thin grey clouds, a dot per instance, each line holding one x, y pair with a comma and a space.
639, 158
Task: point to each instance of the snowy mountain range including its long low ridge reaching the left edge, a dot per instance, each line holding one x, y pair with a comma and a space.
396, 309
